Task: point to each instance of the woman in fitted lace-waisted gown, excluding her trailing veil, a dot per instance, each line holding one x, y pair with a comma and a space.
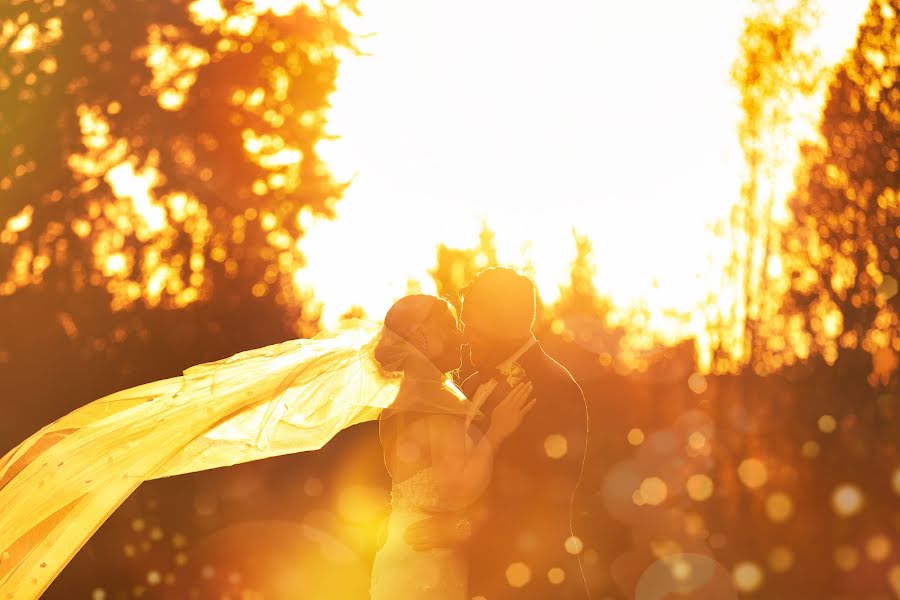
434, 465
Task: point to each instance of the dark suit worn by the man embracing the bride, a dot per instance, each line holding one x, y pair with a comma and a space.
519, 550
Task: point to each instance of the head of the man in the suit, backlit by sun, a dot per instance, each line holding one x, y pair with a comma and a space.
498, 309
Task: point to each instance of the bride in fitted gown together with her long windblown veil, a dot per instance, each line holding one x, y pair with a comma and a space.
58, 486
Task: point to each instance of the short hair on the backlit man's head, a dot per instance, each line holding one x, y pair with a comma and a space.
507, 297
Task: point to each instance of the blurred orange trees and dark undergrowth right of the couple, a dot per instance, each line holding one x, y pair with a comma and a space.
794, 468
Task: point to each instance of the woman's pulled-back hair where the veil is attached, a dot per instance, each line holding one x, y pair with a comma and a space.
394, 345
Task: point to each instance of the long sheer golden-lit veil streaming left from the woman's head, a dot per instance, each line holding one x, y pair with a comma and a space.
59, 485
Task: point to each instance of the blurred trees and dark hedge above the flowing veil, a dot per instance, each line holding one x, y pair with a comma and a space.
159, 163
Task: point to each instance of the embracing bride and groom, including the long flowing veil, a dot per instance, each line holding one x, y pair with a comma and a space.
483, 477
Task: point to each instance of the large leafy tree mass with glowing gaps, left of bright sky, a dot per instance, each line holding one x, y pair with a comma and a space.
158, 150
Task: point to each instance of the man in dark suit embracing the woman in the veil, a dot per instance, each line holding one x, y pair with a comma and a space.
520, 537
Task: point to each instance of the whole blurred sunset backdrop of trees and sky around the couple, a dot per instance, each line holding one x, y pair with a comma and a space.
705, 192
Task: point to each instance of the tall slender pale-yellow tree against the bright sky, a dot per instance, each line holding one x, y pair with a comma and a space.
775, 72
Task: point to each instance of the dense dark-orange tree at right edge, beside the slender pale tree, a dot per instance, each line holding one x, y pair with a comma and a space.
841, 251
